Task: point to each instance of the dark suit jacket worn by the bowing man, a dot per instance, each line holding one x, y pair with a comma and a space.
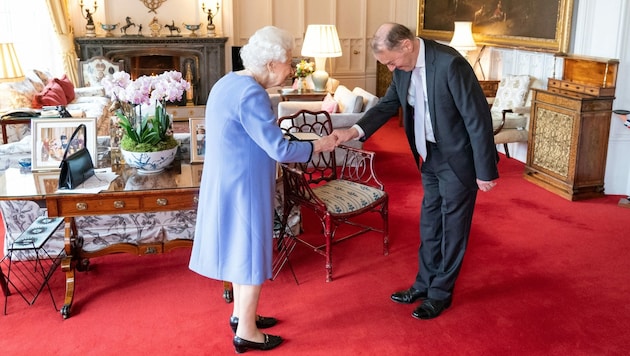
460, 114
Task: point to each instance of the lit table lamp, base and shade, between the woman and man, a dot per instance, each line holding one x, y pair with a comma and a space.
321, 42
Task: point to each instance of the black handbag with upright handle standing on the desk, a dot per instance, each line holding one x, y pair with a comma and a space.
78, 167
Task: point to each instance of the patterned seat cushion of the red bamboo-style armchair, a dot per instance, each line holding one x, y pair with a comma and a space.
342, 196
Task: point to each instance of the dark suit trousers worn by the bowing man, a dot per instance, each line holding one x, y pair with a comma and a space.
445, 221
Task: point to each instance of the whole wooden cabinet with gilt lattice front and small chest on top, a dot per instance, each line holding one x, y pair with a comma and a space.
569, 128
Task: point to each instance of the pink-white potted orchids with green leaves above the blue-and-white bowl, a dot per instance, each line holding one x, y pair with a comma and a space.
145, 133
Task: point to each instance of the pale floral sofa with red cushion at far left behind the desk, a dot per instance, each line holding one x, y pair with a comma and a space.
38, 87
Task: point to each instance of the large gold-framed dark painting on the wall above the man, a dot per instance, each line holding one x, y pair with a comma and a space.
540, 25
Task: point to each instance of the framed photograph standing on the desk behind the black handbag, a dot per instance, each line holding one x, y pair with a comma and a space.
51, 138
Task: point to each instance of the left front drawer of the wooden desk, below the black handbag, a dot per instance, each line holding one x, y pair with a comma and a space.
99, 206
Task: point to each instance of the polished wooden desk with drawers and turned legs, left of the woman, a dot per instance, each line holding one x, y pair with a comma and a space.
181, 194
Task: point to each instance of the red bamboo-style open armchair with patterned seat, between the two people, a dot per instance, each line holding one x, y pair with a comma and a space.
337, 196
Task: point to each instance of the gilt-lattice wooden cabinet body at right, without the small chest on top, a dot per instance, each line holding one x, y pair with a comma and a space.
568, 143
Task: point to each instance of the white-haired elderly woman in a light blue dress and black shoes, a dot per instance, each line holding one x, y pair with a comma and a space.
234, 232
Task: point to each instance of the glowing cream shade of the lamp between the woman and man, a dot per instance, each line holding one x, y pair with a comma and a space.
321, 41
